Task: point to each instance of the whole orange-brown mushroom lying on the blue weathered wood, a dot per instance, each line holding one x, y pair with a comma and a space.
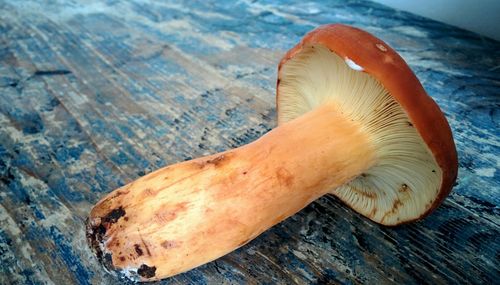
353, 121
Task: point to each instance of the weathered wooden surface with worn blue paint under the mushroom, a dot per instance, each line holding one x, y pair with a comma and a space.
94, 95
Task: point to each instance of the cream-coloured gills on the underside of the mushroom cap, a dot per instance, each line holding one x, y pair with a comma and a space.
405, 179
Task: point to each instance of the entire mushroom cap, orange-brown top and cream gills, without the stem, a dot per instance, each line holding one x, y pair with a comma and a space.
414, 170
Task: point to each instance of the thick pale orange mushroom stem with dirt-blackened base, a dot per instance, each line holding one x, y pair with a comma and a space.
190, 213
